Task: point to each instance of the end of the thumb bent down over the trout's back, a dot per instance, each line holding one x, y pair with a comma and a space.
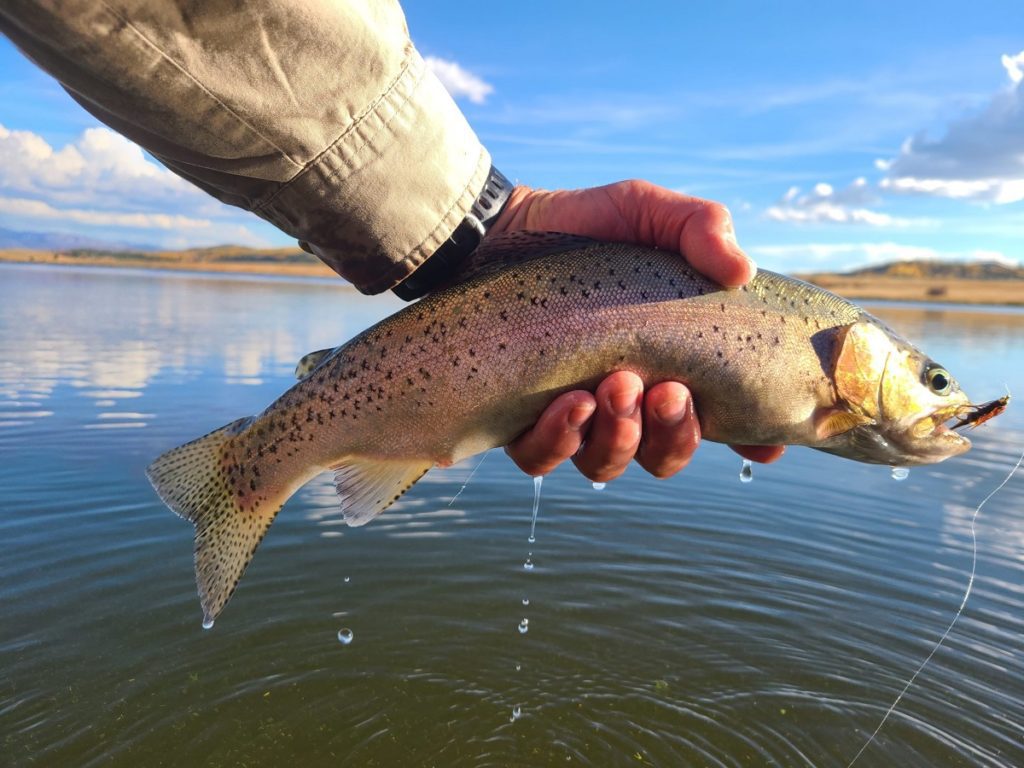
709, 243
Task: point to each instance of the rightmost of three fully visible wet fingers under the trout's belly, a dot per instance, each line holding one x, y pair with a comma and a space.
671, 431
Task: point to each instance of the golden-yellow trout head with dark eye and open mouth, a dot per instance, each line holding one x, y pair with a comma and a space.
900, 399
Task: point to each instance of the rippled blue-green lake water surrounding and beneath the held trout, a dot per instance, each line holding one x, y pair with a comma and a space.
699, 621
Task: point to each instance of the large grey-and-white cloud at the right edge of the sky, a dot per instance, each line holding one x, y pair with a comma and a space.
980, 157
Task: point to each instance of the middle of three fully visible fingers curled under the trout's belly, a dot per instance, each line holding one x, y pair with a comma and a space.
615, 434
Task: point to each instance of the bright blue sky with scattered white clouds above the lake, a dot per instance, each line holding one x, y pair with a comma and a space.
837, 138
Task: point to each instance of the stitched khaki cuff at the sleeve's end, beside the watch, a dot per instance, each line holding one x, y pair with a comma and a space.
380, 200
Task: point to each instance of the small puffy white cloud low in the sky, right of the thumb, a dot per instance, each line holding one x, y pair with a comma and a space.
827, 205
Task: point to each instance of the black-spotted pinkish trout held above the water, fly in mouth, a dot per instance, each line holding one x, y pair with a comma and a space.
778, 362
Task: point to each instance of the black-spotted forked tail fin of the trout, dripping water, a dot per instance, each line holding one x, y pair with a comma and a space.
198, 481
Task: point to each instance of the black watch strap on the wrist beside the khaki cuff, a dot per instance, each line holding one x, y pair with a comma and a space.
449, 258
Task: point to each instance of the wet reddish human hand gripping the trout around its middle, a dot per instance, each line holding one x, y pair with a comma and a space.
620, 421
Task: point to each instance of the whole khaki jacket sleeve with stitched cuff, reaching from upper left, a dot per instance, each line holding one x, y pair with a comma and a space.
320, 117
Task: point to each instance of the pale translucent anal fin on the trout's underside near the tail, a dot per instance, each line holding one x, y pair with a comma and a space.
367, 488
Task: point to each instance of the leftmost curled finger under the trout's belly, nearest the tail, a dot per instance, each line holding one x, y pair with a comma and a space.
557, 437
